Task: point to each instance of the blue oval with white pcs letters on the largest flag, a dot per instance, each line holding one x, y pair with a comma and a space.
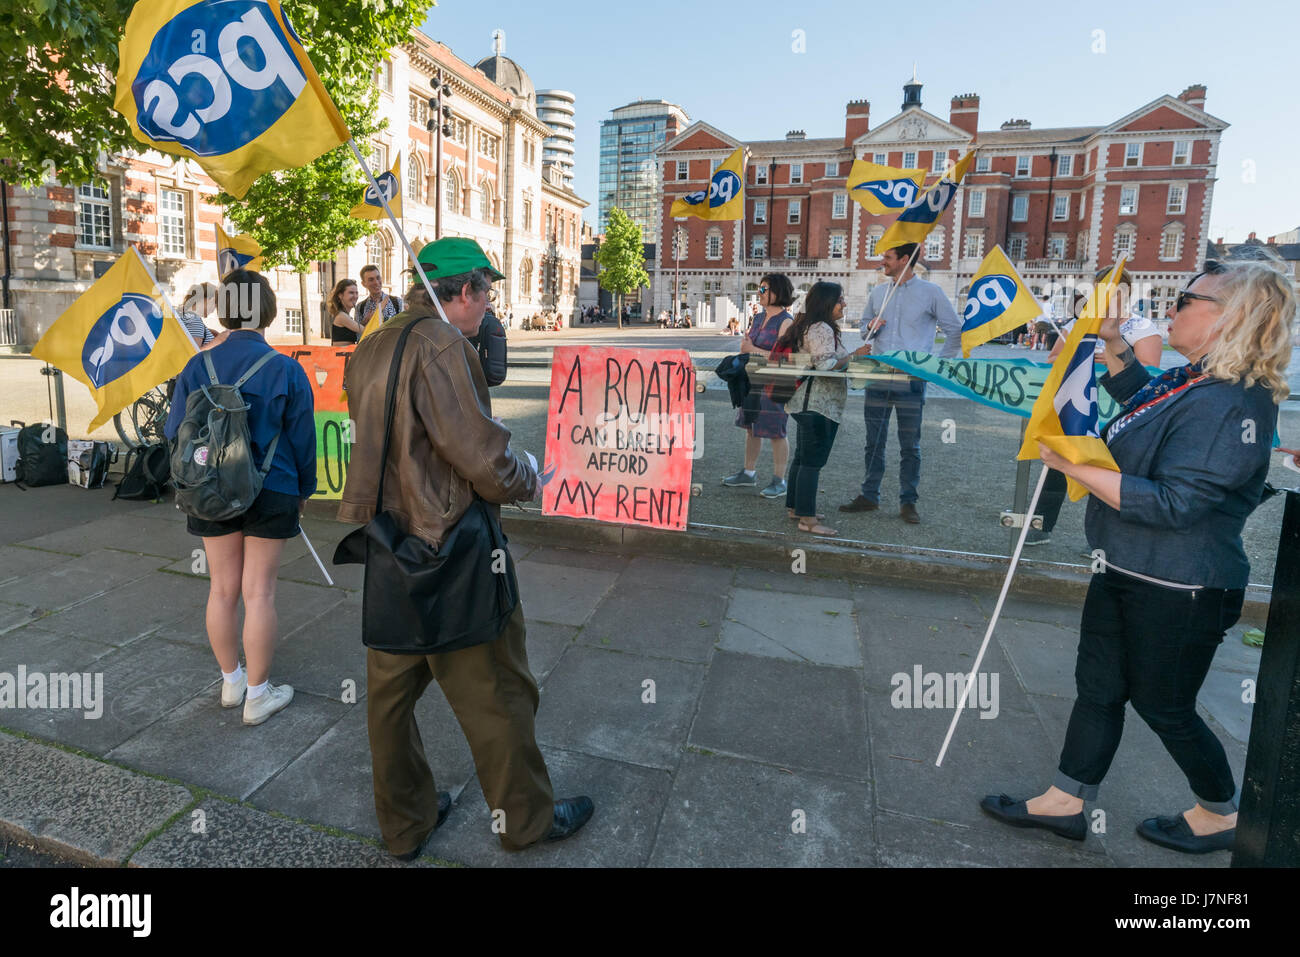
218, 76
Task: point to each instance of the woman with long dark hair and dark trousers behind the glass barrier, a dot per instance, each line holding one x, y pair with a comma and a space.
817, 406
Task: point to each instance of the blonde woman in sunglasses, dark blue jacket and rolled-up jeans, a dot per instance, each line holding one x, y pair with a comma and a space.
1193, 448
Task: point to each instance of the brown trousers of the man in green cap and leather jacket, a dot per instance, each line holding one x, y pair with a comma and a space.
495, 698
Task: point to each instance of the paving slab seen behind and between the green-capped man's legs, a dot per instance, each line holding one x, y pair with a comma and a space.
331, 783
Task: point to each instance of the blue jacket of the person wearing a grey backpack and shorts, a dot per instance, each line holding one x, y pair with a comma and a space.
281, 401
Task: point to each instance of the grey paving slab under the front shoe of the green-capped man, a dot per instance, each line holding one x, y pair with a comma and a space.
629, 800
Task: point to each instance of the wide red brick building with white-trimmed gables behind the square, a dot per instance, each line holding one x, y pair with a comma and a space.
1061, 202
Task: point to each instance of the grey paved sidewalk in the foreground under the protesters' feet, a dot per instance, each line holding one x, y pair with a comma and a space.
770, 735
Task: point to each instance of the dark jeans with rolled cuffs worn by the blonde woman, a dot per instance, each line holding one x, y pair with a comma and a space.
1154, 647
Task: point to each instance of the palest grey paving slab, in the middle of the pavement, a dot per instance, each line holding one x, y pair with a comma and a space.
657, 622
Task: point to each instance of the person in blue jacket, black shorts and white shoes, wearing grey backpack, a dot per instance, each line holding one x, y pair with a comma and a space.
244, 552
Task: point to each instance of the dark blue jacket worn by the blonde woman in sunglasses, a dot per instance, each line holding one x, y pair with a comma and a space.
1194, 470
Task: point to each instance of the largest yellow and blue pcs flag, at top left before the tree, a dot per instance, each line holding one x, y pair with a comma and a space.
227, 84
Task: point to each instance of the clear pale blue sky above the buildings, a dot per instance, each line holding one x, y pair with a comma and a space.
733, 66
